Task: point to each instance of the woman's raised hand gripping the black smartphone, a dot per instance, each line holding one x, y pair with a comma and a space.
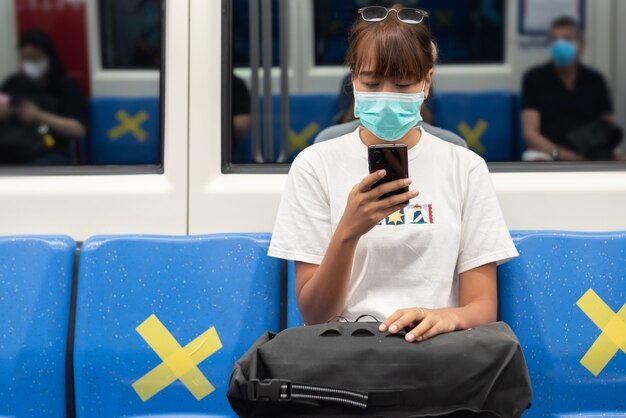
364, 210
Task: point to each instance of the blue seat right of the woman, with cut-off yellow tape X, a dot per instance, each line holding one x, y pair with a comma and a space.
547, 296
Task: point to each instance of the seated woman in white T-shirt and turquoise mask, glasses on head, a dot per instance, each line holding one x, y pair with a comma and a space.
429, 267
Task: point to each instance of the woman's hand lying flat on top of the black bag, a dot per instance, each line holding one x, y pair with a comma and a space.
421, 323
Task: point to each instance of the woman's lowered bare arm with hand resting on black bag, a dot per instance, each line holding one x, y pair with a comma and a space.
478, 305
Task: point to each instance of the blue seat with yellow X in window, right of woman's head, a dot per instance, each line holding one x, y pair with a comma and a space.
484, 120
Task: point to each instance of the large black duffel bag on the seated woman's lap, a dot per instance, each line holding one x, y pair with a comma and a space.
353, 370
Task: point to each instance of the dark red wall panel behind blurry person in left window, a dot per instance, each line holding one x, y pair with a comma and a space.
66, 22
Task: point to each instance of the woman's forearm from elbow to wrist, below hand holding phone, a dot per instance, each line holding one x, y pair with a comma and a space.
323, 296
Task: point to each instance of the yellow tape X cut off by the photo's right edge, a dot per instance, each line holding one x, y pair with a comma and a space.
613, 326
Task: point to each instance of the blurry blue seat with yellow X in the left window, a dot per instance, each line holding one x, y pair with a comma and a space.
125, 131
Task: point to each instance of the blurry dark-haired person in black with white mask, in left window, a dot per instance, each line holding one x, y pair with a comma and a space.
43, 111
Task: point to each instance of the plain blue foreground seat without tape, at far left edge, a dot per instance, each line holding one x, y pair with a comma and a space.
35, 288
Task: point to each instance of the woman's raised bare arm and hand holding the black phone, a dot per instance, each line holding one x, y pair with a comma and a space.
321, 290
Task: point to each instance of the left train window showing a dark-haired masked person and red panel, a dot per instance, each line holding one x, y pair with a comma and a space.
55, 110
